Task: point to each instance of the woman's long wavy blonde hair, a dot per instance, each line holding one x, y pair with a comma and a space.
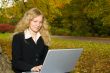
24, 24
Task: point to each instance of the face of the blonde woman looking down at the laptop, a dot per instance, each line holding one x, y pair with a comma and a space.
36, 23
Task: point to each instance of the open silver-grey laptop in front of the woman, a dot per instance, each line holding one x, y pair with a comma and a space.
60, 61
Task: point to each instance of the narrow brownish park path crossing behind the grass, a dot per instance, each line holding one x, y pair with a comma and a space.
93, 39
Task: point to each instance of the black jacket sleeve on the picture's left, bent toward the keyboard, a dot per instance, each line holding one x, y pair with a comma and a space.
17, 62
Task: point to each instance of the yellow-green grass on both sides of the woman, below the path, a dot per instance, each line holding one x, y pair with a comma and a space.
94, 59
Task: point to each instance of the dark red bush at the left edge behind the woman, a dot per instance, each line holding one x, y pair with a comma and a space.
6, 28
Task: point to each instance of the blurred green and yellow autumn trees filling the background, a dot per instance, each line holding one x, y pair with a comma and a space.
69, 17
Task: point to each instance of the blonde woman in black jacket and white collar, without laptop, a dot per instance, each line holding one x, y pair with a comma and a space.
30, 43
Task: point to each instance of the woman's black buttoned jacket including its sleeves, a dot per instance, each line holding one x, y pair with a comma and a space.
26, 53
